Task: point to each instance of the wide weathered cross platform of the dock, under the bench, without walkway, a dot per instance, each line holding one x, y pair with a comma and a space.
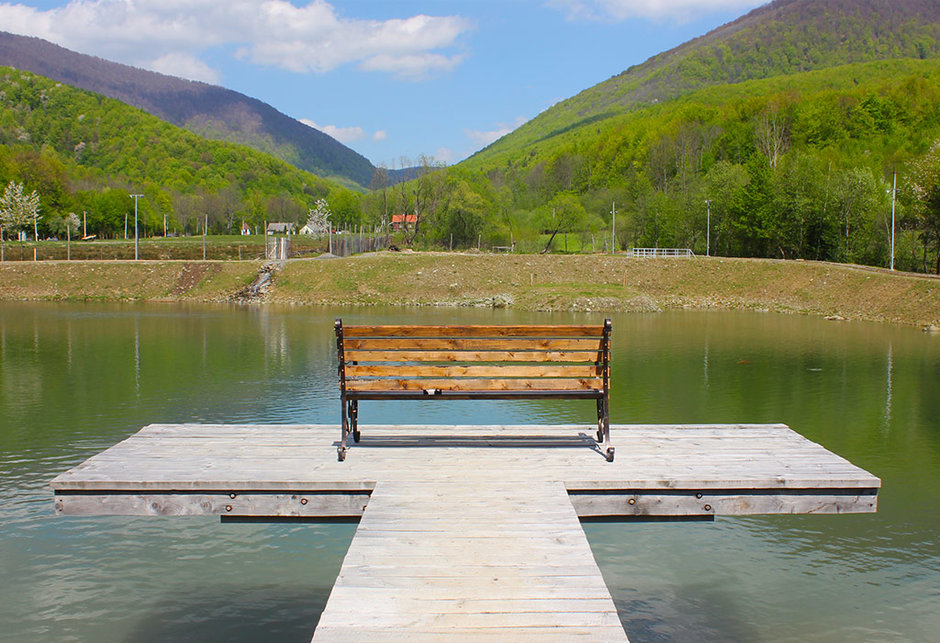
291, 470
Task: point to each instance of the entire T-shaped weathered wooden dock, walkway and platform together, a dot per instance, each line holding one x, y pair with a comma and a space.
466, 531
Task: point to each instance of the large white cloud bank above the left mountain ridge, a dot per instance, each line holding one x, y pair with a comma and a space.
171, 34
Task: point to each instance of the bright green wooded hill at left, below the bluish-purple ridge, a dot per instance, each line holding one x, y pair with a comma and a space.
81, 151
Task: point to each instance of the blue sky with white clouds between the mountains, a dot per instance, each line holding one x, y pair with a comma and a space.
392, 79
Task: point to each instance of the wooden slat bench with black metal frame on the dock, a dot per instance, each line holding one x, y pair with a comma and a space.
473, 363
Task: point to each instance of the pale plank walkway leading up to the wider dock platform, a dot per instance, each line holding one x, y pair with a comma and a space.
394, 543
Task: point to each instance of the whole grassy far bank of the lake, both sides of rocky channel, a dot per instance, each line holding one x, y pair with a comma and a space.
595, 283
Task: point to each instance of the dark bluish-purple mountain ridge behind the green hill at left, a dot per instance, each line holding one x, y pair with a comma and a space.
210, 111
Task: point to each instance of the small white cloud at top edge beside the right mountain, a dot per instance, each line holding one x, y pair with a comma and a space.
675, 10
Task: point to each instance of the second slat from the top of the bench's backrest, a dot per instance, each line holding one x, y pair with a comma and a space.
472, 344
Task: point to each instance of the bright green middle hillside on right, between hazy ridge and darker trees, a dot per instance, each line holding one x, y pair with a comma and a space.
884, 111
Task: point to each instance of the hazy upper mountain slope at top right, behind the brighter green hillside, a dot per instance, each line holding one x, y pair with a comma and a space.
780, 38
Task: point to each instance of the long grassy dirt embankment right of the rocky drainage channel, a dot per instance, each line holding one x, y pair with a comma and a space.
601, 282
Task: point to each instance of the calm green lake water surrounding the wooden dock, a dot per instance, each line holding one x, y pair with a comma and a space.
75, 379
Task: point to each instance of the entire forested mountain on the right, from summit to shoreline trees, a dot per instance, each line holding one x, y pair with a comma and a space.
777, 135
